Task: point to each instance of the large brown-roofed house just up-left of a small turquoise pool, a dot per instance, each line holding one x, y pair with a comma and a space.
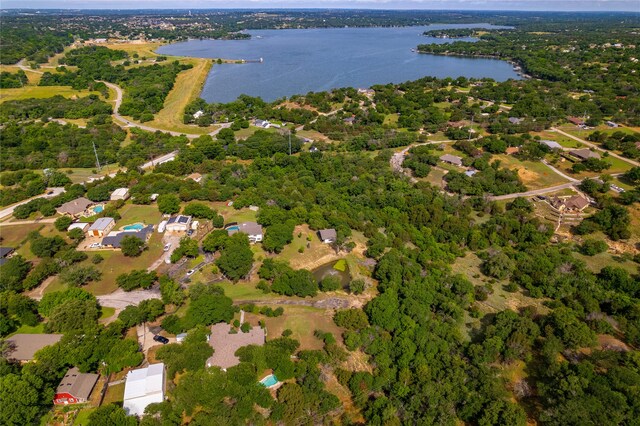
225, 344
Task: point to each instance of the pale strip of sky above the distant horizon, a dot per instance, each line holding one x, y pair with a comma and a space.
537, 5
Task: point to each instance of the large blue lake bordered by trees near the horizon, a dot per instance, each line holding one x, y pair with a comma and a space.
300, 61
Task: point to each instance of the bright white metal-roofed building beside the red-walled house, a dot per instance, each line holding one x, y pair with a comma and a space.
143, 386
